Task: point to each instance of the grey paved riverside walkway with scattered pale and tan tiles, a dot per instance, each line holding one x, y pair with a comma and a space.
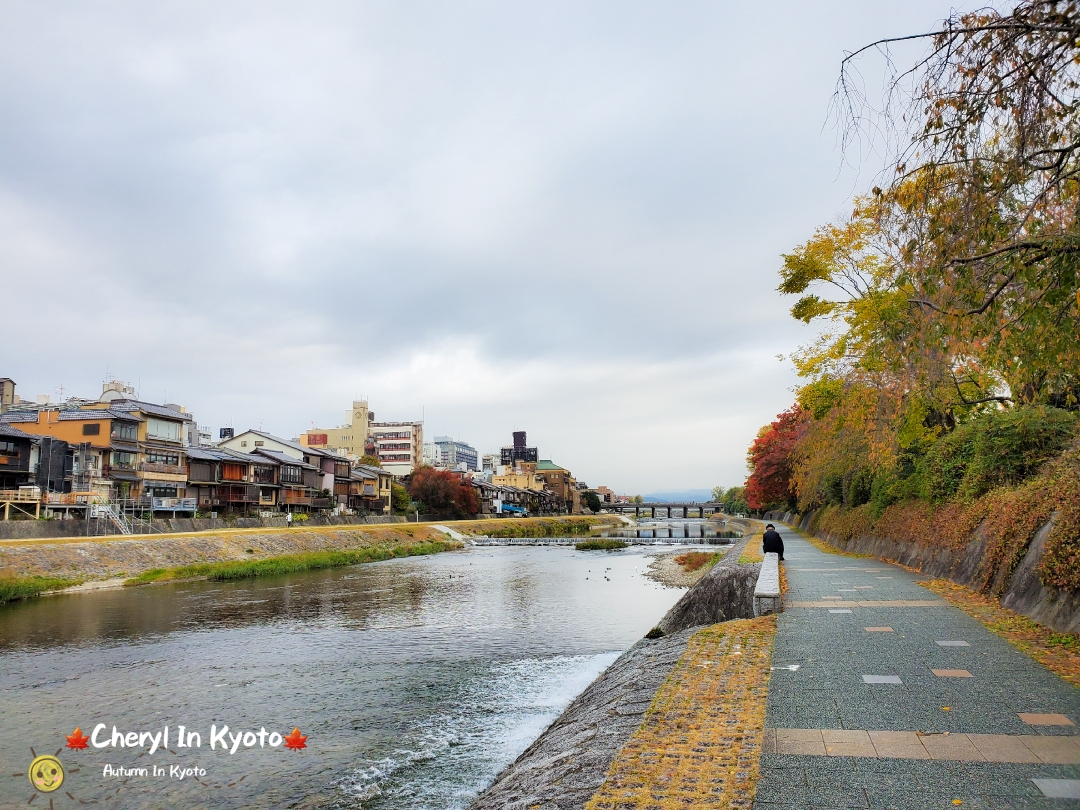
885, 697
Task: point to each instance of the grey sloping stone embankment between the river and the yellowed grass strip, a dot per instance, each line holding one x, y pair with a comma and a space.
569, 763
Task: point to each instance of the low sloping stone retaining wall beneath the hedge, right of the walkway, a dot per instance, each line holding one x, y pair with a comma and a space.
1021, 591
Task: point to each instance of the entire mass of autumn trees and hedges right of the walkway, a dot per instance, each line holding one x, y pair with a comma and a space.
942, 391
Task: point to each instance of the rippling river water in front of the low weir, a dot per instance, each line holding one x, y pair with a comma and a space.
415, 681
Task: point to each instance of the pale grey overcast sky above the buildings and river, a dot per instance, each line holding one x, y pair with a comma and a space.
559, 218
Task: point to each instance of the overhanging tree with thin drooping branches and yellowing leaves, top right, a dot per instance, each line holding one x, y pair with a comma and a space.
981, 210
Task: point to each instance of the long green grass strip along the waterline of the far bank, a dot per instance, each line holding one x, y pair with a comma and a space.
290, 563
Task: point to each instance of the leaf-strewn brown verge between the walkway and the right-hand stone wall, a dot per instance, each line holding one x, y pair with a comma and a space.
1060, 653
